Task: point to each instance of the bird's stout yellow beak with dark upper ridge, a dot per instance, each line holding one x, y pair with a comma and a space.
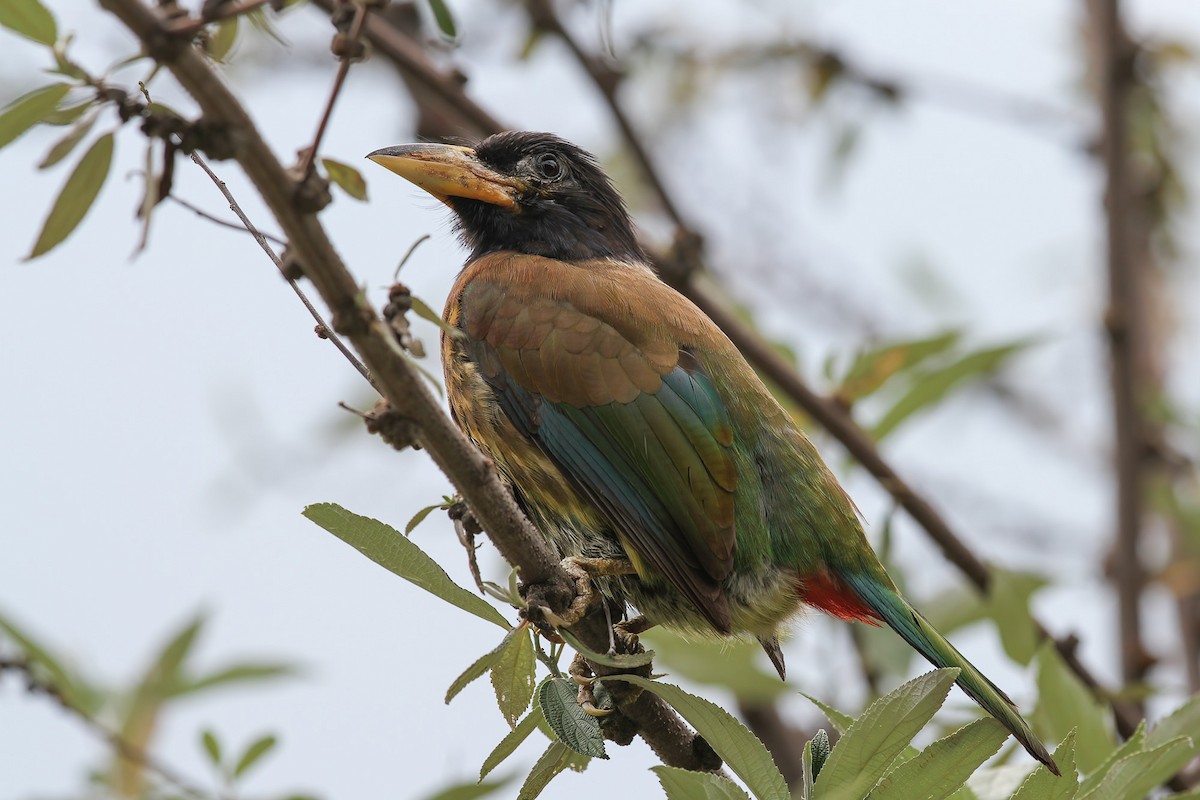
448, 171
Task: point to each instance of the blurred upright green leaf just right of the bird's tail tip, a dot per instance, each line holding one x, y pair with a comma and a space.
1066, 705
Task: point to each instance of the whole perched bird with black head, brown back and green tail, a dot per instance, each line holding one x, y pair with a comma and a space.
629, 428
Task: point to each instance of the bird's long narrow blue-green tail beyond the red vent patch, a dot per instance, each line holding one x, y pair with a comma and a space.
921, 635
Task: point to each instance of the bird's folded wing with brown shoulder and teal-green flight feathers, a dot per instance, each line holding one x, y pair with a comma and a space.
639, 430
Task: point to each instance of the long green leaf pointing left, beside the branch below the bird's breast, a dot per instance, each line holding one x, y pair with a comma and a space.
391, 550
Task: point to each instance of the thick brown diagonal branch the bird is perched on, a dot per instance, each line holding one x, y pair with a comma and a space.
472, 473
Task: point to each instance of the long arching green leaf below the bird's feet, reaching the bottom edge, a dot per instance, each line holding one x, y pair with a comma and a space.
739, 748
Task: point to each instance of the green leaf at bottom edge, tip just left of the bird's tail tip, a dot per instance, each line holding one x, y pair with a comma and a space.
944, 767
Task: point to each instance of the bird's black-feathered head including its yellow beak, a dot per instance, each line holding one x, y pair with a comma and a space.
519, 191
